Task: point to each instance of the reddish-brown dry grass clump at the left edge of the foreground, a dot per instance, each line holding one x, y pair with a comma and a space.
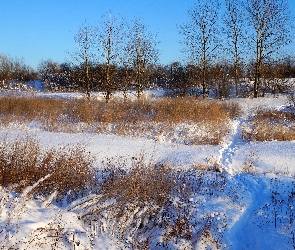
23, 163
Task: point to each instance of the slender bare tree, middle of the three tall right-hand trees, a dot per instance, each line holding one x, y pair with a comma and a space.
234, 24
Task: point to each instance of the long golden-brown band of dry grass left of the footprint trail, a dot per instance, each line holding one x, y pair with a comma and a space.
148, 118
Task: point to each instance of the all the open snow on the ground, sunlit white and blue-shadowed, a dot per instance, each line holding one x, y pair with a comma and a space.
246, 204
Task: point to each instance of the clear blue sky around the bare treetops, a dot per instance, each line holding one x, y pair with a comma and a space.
38, 30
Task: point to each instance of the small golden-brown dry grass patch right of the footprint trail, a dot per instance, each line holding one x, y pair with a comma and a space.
268, 125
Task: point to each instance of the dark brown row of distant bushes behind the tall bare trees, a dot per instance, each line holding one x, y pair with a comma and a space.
179, 79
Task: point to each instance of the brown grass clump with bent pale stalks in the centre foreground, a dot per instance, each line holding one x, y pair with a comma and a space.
132, 198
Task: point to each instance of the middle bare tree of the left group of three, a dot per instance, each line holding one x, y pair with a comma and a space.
110, 37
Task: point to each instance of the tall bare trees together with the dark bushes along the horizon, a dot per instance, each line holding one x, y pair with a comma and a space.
239, 50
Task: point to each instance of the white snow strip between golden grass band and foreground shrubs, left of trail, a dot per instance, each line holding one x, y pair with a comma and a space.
112, 146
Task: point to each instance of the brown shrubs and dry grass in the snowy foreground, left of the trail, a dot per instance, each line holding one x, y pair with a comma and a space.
128, 201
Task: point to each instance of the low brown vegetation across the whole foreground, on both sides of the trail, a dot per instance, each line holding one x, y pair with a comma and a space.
142, 204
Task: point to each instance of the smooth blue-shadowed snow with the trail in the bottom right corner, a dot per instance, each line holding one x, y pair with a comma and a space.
255, 228
